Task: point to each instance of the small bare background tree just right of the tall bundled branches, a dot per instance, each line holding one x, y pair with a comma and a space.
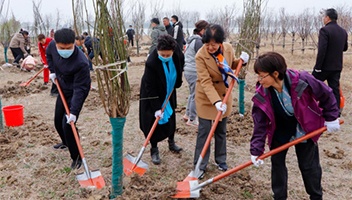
138, 18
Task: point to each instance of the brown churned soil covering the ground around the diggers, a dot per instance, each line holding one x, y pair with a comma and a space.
31, 169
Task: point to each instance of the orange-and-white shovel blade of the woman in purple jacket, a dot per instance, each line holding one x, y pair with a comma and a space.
187, 189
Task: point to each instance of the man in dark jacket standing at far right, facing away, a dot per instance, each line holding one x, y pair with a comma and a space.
332, 43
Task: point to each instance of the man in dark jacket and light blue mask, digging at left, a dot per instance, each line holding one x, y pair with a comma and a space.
68, 64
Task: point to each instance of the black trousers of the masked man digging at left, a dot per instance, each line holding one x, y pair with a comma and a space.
64, 129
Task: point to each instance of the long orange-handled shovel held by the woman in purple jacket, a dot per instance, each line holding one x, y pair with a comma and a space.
191, 189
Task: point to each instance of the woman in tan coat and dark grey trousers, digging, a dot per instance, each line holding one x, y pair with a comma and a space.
211, 86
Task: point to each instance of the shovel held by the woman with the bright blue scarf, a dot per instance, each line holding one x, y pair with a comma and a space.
135, 164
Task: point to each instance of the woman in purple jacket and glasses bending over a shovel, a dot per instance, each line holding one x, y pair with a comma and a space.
287, 105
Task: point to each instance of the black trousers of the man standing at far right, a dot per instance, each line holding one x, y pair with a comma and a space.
333, 79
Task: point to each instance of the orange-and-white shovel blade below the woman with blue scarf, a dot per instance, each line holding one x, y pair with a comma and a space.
130, 166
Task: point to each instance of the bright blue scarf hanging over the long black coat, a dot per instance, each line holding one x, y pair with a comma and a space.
170, 74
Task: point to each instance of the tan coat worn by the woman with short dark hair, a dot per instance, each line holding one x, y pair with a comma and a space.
210, 86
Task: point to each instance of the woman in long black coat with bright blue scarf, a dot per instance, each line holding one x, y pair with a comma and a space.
162, 75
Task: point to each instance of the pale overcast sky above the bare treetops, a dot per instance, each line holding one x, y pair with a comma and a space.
22, 9
